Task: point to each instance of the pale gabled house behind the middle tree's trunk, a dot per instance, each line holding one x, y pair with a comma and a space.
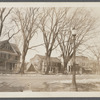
40, 65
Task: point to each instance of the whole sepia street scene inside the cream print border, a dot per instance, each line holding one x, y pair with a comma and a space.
50, 49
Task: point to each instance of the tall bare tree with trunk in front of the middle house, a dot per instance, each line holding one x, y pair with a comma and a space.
51, 25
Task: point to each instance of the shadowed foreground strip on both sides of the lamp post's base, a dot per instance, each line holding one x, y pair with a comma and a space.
62, 87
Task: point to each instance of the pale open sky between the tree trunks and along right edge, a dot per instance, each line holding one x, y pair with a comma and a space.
41, 50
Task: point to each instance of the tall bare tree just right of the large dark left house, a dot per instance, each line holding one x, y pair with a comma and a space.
27, 21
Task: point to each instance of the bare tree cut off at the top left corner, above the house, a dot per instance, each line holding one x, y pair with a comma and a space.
4, 13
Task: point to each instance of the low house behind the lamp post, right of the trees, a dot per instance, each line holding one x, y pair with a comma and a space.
83, 65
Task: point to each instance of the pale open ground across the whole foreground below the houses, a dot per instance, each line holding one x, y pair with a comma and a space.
46, 83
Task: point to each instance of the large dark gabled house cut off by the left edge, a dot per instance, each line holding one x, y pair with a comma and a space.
9, 57
